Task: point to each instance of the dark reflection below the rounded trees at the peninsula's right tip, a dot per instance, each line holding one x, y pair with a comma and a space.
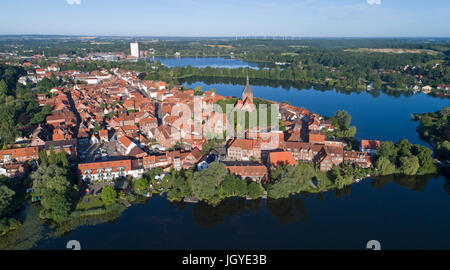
413, 182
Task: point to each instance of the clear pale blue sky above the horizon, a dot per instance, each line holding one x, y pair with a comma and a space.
299, 18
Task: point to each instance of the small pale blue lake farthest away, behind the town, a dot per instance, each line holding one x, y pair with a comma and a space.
214, 62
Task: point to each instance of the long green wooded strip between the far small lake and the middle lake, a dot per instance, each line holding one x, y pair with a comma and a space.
351, 78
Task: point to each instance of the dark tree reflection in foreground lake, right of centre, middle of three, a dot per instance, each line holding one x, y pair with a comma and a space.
288, 210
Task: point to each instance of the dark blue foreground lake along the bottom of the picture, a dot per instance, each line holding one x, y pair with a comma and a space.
405, 214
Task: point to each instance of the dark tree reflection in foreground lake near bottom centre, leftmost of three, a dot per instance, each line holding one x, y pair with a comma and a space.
207, 215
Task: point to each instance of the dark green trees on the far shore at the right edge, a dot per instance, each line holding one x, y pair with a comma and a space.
435, 128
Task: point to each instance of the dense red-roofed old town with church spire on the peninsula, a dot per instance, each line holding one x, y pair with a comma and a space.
113, 124
